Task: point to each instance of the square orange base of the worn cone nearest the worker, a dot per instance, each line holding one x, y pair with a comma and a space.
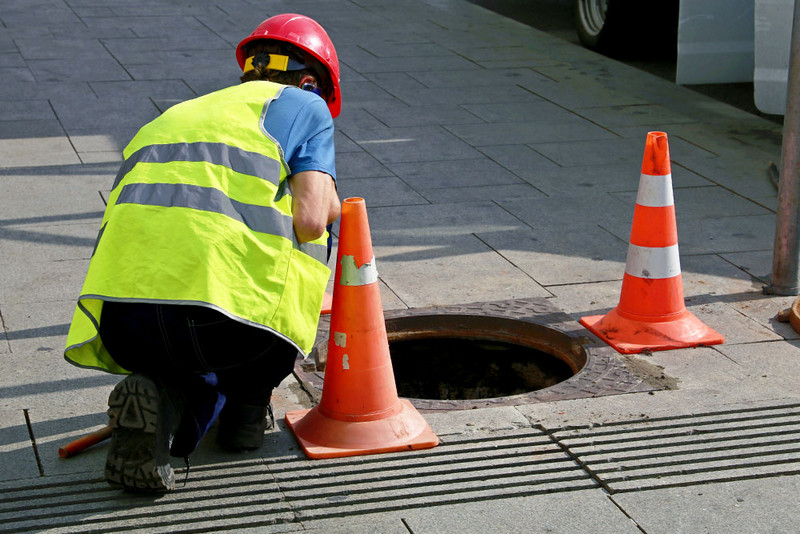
323, 437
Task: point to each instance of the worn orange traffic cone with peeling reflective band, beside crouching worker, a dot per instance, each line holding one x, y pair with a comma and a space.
359, 412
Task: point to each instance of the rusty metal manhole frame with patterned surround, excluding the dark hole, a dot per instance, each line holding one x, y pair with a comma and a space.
534, 322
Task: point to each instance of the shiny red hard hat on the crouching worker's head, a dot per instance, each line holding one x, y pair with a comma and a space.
307, 34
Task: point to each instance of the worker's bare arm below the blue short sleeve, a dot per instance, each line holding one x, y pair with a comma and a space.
315, 204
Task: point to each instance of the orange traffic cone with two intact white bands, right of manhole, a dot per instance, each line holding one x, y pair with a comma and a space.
651, 314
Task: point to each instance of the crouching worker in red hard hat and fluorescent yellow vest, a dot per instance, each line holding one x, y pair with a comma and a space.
210, 266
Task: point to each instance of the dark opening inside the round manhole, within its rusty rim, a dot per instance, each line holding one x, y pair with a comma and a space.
452, 368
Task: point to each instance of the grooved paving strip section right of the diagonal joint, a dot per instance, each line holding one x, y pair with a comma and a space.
686, 450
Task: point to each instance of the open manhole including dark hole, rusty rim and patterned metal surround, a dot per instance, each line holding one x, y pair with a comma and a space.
494, 354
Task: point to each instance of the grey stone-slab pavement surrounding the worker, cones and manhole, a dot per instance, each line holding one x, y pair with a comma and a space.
498, 163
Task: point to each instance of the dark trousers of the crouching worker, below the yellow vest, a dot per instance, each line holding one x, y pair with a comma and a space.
203, 355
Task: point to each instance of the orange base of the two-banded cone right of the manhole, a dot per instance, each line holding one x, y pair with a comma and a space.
630, 336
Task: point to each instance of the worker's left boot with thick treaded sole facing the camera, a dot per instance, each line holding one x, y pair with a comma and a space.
142, 418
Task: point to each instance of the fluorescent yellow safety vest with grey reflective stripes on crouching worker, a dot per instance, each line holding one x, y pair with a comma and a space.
200, 213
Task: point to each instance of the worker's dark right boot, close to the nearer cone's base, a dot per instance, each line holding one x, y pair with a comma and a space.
242, 426
